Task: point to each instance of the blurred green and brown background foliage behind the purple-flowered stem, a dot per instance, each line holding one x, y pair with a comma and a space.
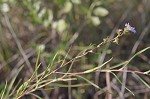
56, 25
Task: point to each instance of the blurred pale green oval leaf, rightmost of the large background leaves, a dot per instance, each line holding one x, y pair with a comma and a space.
100, 11
